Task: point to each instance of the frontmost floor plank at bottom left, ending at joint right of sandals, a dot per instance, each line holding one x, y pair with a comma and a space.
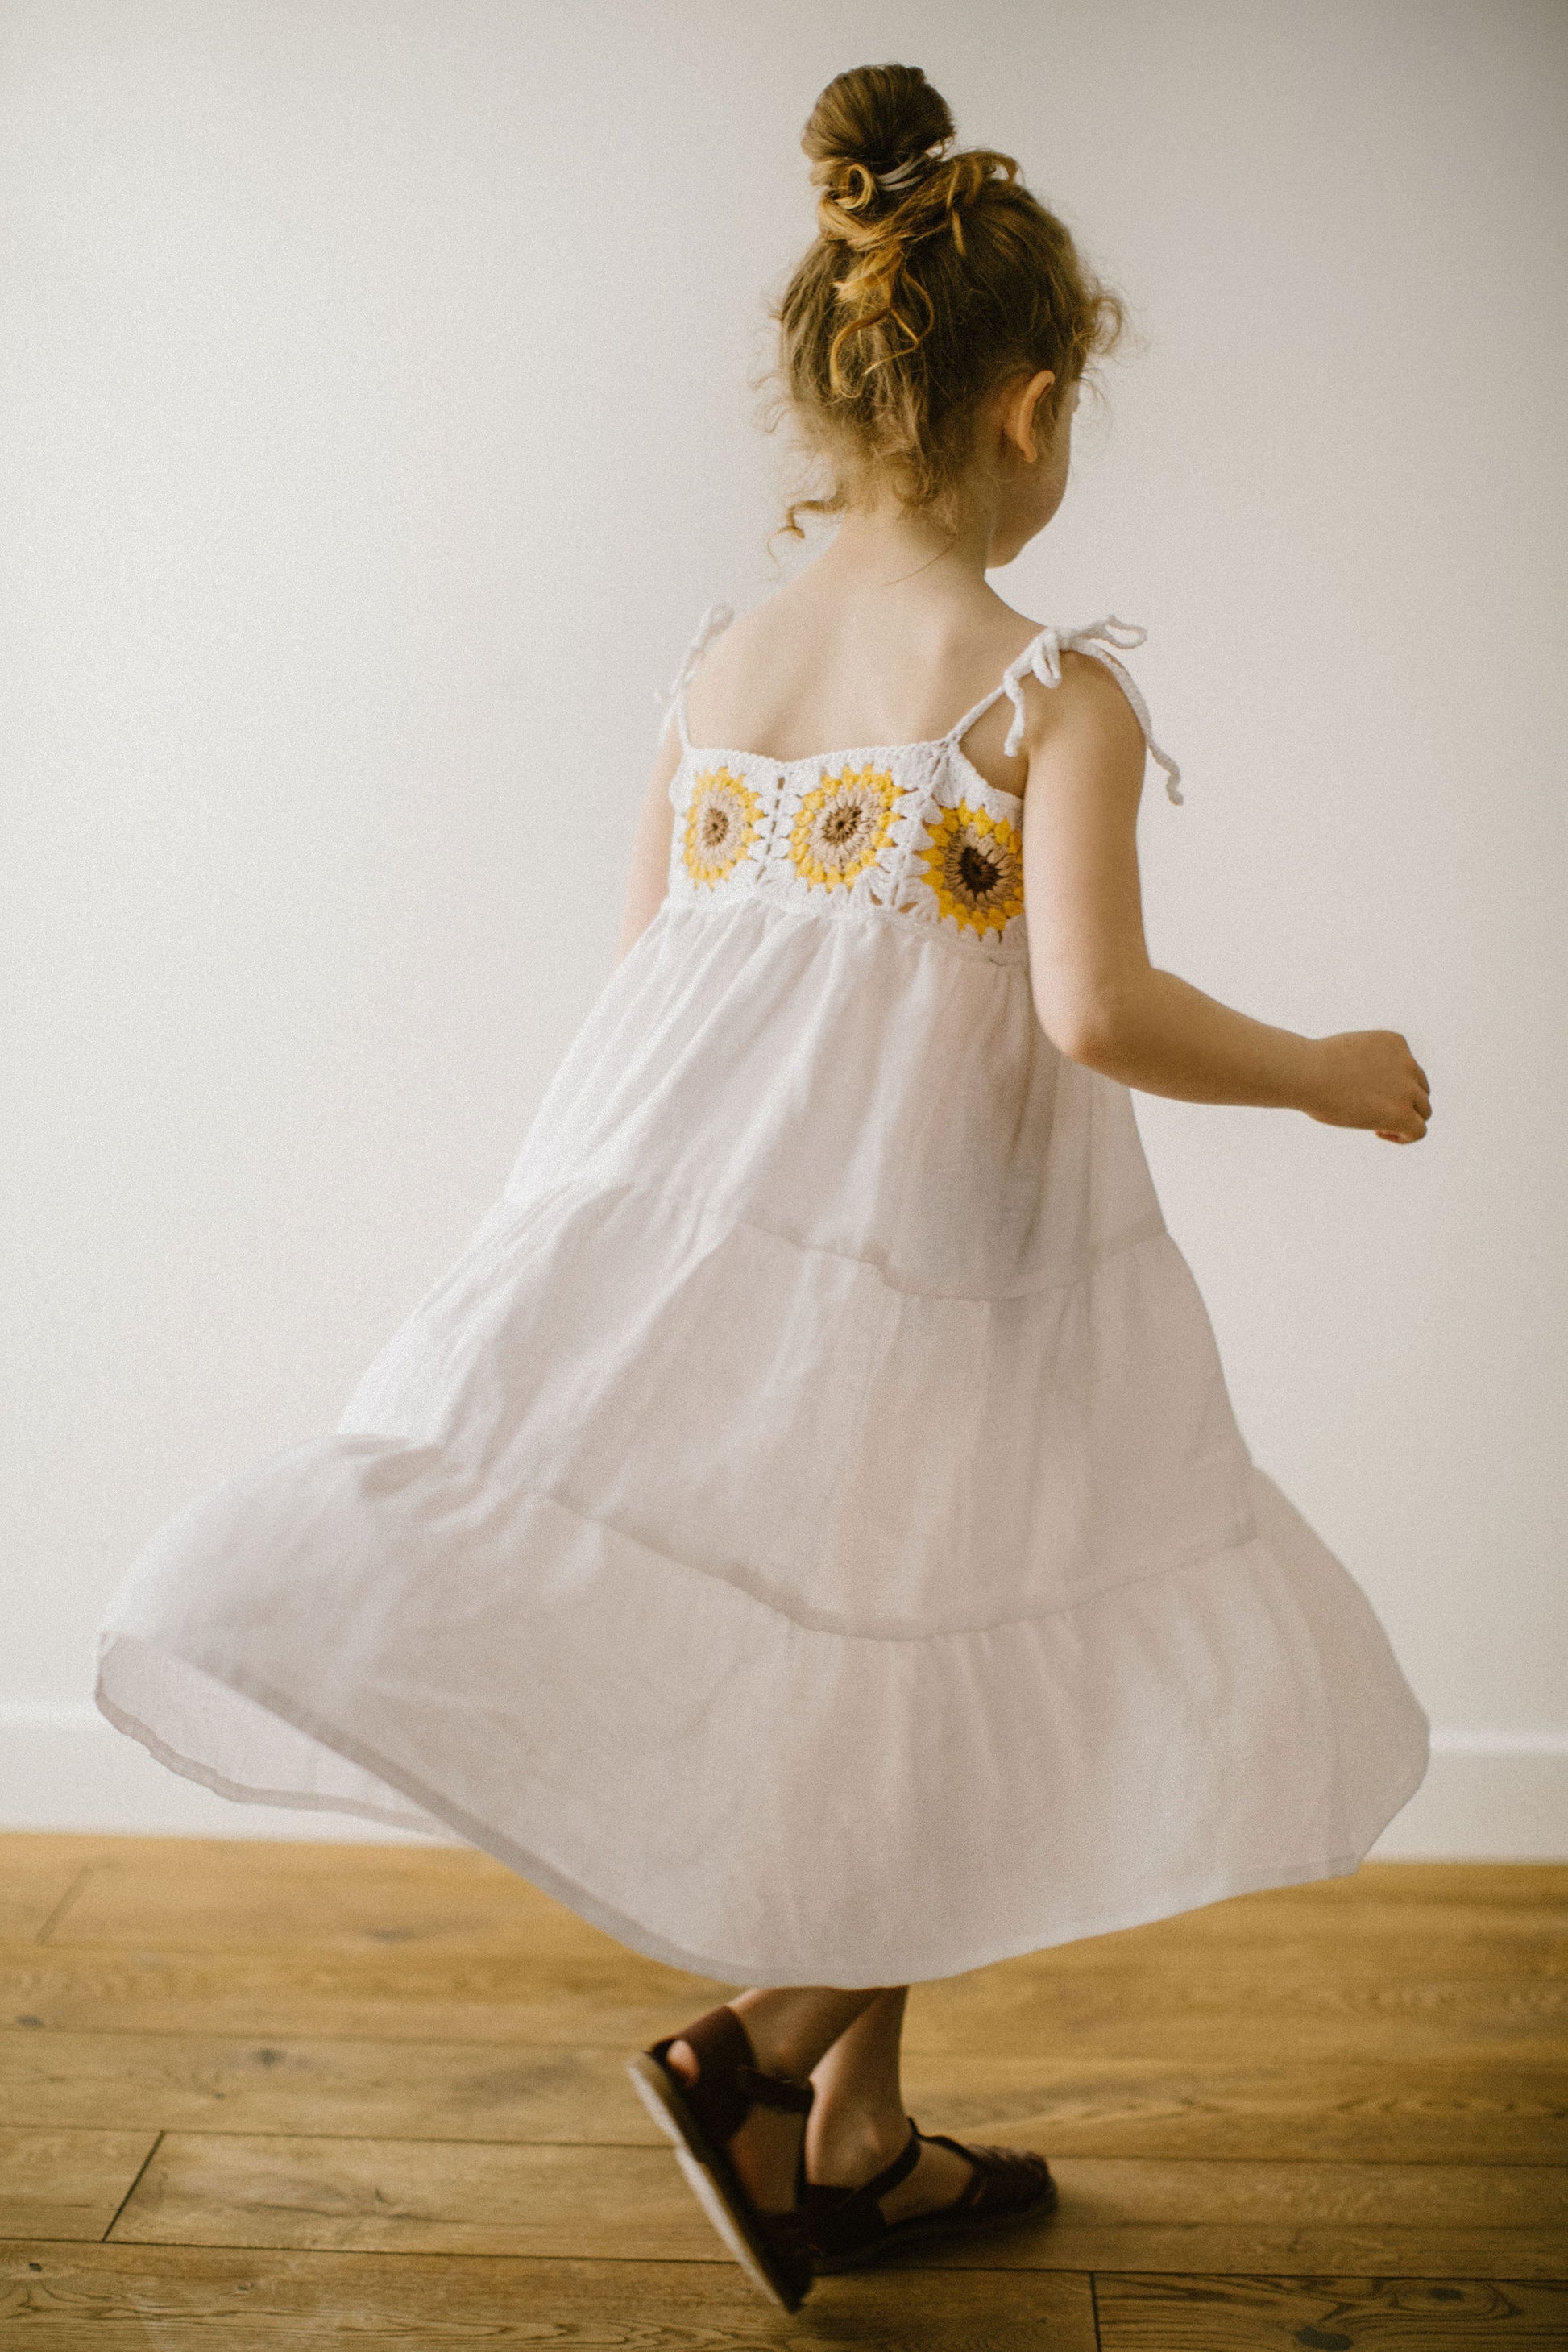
128, 2299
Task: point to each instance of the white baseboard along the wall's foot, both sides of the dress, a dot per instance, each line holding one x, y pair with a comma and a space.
62, 1768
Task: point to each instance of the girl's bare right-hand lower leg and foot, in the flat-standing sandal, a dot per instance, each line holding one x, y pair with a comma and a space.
859, 2120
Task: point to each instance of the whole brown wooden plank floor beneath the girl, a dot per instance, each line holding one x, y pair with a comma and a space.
283, 2097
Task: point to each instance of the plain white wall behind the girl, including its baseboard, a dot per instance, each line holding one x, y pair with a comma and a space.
375, 427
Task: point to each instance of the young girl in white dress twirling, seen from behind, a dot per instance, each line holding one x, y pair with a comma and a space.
808, 1530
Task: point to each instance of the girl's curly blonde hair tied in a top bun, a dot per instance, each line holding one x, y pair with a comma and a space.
934, 281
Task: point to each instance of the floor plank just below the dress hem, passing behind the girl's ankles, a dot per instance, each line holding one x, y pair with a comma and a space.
1252, 2014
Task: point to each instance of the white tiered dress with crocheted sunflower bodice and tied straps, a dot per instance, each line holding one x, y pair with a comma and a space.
808, 1530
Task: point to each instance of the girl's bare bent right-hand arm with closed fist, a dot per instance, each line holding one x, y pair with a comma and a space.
1099, 996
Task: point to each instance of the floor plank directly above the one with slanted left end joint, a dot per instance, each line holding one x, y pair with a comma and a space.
481, 2092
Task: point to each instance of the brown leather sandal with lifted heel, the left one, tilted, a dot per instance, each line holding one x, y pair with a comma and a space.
702, 2118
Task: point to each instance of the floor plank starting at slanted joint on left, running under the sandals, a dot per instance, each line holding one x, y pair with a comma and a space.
631, 2205
